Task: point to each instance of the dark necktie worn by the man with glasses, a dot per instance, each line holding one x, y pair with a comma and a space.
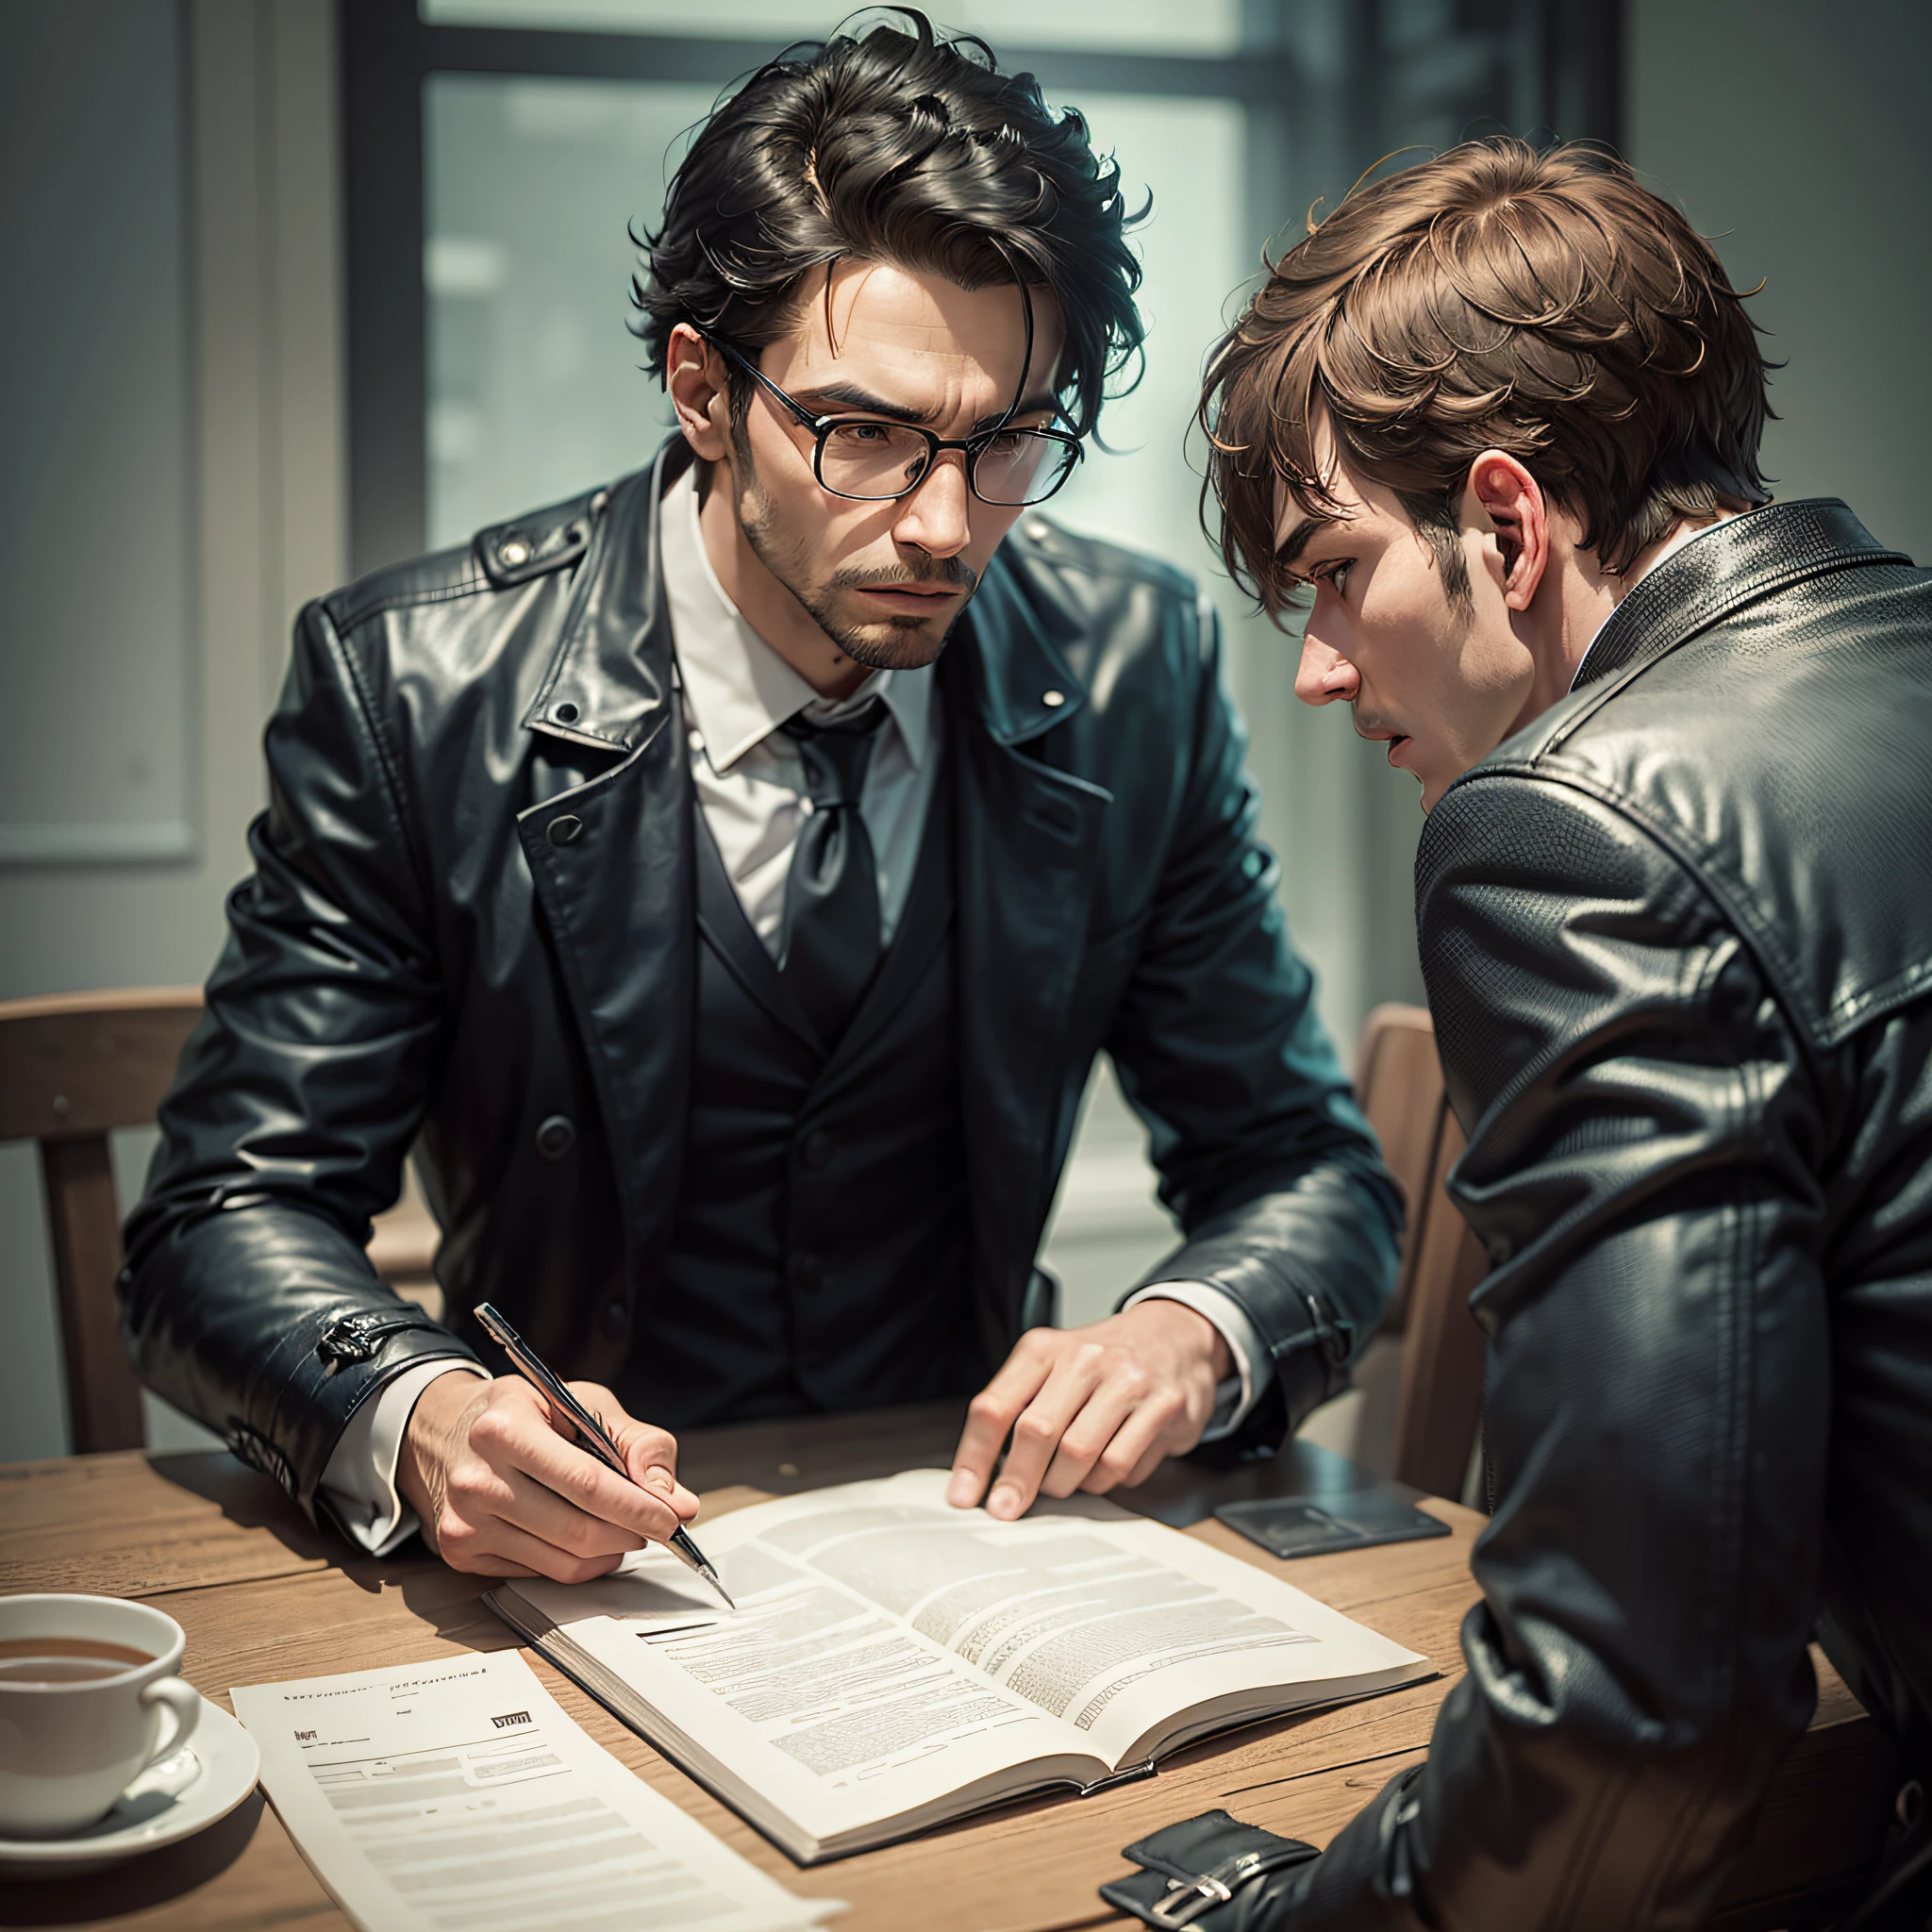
832, 895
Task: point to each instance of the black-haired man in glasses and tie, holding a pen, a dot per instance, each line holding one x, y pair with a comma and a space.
727, 880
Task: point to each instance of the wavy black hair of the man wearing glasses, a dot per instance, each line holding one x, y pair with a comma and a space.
905, 148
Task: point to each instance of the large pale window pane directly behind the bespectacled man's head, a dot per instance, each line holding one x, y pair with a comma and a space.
536, 387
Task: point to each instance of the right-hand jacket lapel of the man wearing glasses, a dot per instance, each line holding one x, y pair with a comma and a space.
1027, 851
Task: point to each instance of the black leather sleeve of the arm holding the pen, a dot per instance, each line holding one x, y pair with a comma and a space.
248, 1299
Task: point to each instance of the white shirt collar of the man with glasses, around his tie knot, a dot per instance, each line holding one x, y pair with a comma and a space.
737, 689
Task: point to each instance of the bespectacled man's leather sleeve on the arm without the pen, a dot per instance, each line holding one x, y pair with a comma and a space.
1264, 1158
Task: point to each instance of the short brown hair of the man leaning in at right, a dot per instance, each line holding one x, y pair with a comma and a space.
1541, 304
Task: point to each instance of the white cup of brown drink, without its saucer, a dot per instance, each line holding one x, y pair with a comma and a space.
88, 1703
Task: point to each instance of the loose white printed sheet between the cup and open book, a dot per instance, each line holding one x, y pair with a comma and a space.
461, 1798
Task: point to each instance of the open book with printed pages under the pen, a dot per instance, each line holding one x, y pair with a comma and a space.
895, 1664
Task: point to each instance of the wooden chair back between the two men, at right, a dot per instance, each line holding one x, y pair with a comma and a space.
1438, 1407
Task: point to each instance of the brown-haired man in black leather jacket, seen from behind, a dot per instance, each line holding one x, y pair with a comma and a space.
1500, 414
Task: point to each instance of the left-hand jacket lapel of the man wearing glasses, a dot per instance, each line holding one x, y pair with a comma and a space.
613, 861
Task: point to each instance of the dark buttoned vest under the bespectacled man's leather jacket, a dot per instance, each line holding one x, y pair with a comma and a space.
820, 1257
